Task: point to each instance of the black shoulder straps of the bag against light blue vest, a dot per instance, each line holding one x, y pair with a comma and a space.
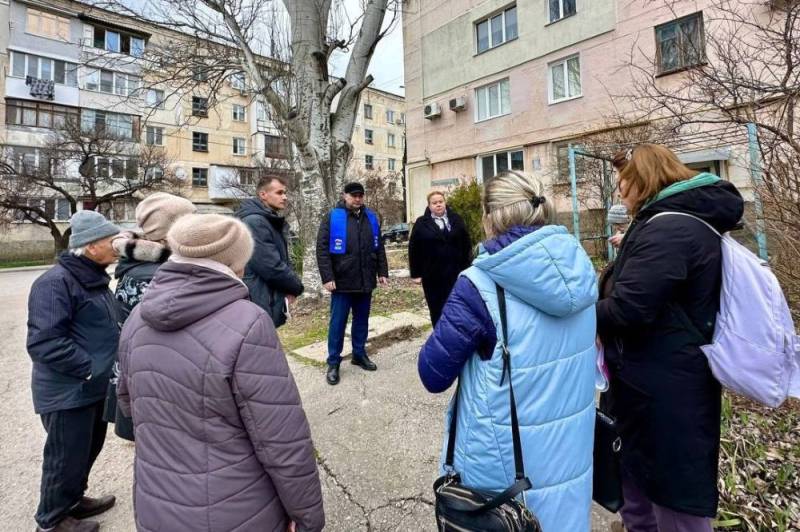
519, 465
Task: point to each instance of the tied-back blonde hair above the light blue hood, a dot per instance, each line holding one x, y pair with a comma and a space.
514, 198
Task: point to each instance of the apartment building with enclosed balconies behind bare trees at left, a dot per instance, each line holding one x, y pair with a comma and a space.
64, 60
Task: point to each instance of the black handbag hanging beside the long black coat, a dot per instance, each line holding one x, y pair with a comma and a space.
607, 477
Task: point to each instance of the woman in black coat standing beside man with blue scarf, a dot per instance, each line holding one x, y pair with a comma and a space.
438, 250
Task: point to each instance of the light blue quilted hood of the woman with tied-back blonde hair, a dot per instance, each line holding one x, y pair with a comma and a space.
546, 269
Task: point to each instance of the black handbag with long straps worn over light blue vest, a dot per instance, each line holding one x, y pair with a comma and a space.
464, 509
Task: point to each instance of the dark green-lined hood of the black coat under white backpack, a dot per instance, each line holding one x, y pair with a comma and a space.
706, 196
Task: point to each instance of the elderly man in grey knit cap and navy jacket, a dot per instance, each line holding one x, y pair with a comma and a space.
73, 332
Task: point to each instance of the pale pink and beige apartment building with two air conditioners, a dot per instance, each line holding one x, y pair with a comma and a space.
498, 84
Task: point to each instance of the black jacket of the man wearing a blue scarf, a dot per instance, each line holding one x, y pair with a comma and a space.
357, 269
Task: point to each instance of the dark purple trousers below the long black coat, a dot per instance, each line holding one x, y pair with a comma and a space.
639, 514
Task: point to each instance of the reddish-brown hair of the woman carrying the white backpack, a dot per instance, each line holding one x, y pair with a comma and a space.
650, 168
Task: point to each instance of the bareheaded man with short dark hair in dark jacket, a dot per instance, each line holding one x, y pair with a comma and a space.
269, 274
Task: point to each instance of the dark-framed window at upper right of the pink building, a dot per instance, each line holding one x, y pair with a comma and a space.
683, 44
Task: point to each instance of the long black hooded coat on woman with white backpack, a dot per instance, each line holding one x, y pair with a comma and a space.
662, 307
